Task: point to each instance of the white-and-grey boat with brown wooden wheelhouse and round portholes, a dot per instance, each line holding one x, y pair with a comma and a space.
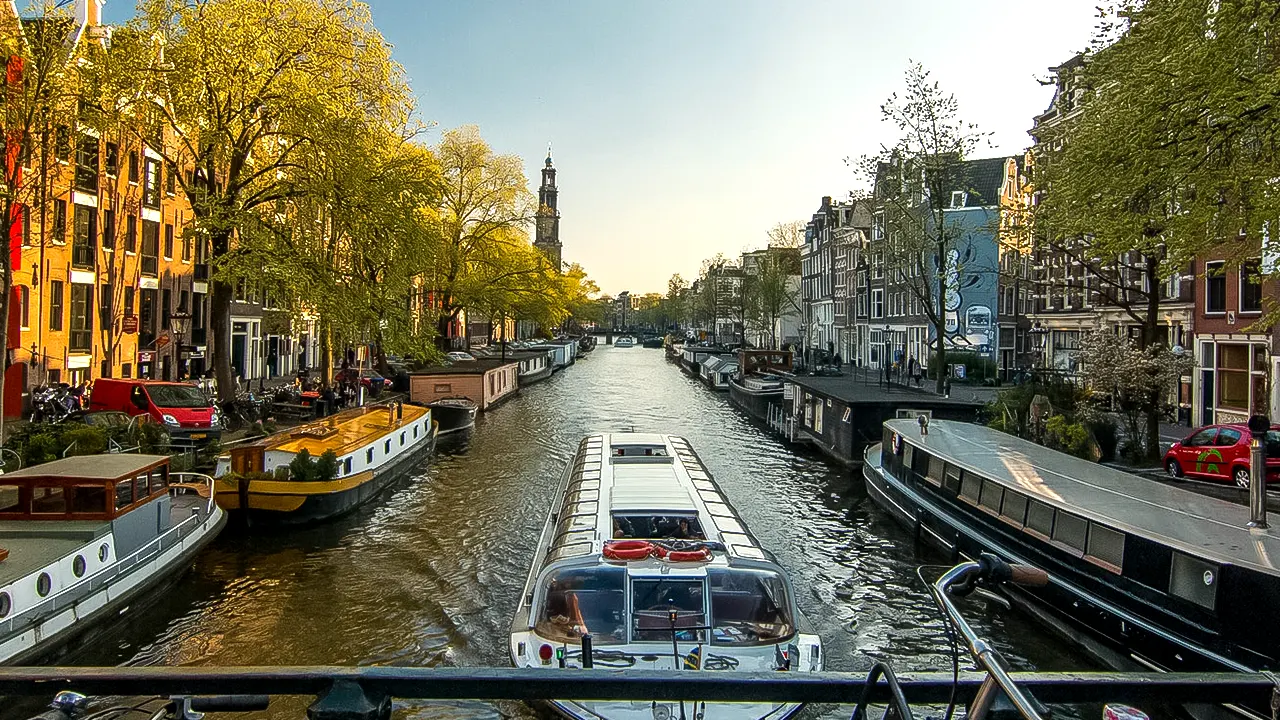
88, 539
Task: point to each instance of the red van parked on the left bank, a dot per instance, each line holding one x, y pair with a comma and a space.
181, 408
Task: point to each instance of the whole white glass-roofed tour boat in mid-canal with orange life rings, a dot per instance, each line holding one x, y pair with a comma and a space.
644, 566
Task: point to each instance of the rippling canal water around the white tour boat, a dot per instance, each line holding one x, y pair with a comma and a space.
429, 573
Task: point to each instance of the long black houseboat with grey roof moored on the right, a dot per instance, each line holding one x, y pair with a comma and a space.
1141, 572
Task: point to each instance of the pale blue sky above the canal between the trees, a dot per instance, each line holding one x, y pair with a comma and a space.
683, 129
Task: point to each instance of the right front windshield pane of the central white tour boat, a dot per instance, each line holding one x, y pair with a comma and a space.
749, 608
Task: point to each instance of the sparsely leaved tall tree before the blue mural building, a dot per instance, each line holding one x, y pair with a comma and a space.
912, 181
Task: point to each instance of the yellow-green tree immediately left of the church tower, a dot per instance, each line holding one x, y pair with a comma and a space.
486, 207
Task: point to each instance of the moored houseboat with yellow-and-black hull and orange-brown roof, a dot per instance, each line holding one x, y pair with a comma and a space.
373, 446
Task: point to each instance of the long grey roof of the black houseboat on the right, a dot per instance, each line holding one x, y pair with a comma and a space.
1203, 526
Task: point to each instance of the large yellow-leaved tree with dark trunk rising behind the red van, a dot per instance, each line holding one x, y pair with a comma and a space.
232, 95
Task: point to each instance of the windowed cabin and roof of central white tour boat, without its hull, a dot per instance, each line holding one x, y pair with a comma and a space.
643, 548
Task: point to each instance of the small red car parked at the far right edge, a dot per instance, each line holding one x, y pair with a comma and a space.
1222, 453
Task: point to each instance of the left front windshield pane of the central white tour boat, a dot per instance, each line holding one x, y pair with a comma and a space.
584, 600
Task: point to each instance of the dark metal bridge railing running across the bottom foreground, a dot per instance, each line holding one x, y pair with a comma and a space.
367, 692
